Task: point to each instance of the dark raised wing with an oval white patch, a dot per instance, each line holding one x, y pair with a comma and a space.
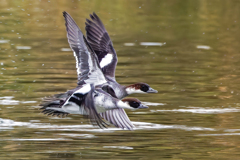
102, 45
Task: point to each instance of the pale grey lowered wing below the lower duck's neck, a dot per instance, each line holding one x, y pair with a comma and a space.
118, 118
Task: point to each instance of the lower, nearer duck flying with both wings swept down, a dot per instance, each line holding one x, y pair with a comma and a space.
95, 104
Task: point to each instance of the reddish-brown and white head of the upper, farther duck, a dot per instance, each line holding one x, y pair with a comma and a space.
140, 88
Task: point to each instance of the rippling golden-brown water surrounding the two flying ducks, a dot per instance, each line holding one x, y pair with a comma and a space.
191, 58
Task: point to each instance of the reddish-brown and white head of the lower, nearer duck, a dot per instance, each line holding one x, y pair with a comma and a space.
131, 103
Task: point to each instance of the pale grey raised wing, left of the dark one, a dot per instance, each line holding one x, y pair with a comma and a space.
87, 64
